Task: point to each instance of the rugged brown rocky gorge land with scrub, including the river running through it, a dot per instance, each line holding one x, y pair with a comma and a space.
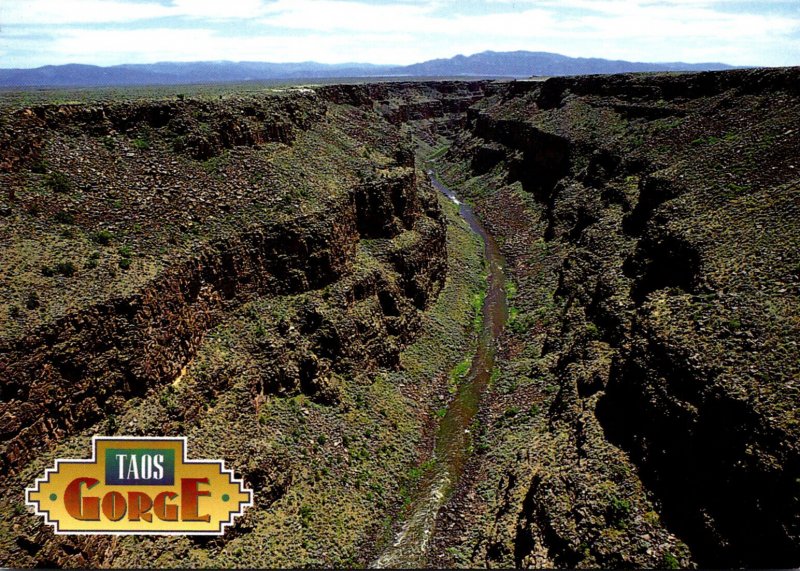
430, 323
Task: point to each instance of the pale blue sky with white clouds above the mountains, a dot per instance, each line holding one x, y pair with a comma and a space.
107, 32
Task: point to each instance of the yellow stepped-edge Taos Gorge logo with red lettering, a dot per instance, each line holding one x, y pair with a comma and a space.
135, 485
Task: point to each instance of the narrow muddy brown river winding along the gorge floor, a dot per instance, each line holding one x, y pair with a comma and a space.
453, 438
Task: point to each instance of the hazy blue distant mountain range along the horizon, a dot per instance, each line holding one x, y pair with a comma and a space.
517, 64
